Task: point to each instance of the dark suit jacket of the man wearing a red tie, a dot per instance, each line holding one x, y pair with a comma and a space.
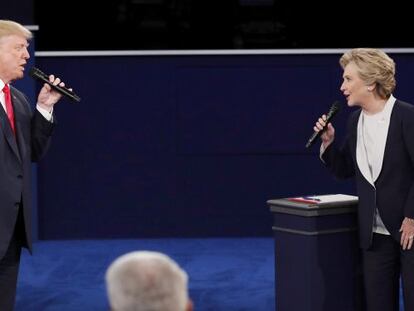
16, 154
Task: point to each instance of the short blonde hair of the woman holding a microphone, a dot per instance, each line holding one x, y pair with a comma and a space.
374, 67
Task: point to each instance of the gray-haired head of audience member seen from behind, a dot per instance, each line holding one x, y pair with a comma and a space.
146, 281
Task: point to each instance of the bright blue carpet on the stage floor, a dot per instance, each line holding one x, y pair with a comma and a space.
225, 274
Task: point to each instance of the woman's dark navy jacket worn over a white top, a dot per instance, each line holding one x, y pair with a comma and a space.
394, 188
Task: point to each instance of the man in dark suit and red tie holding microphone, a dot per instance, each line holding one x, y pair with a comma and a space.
24, 137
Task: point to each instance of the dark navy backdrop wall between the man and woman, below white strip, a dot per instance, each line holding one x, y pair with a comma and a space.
187, 145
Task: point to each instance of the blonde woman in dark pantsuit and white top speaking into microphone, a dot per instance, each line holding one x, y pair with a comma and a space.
379, 153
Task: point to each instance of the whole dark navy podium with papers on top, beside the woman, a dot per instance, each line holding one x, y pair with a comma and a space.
317, 265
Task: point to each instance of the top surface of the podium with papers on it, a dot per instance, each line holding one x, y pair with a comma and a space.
315, 205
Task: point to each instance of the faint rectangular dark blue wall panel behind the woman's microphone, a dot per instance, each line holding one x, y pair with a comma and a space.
249, 109
